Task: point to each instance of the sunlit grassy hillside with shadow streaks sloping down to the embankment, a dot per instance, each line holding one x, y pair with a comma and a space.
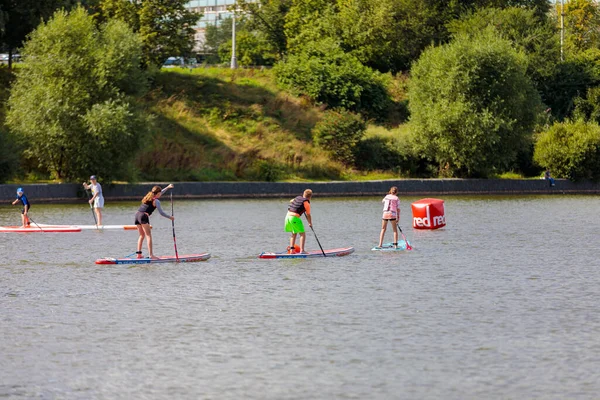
221, 124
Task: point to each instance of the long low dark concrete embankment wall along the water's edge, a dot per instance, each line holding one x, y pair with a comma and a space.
67, 193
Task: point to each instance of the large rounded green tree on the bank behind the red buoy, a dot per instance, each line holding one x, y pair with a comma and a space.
472, 106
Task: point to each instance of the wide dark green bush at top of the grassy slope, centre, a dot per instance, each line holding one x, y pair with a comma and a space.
328, 75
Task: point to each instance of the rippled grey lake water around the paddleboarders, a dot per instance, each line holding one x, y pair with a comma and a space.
500, 304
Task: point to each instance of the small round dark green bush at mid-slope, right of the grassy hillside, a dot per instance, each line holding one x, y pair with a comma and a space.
338, 133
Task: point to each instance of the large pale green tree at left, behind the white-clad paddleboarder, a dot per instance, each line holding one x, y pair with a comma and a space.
71, 103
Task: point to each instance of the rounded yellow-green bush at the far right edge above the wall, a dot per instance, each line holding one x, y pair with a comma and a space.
571, 150
